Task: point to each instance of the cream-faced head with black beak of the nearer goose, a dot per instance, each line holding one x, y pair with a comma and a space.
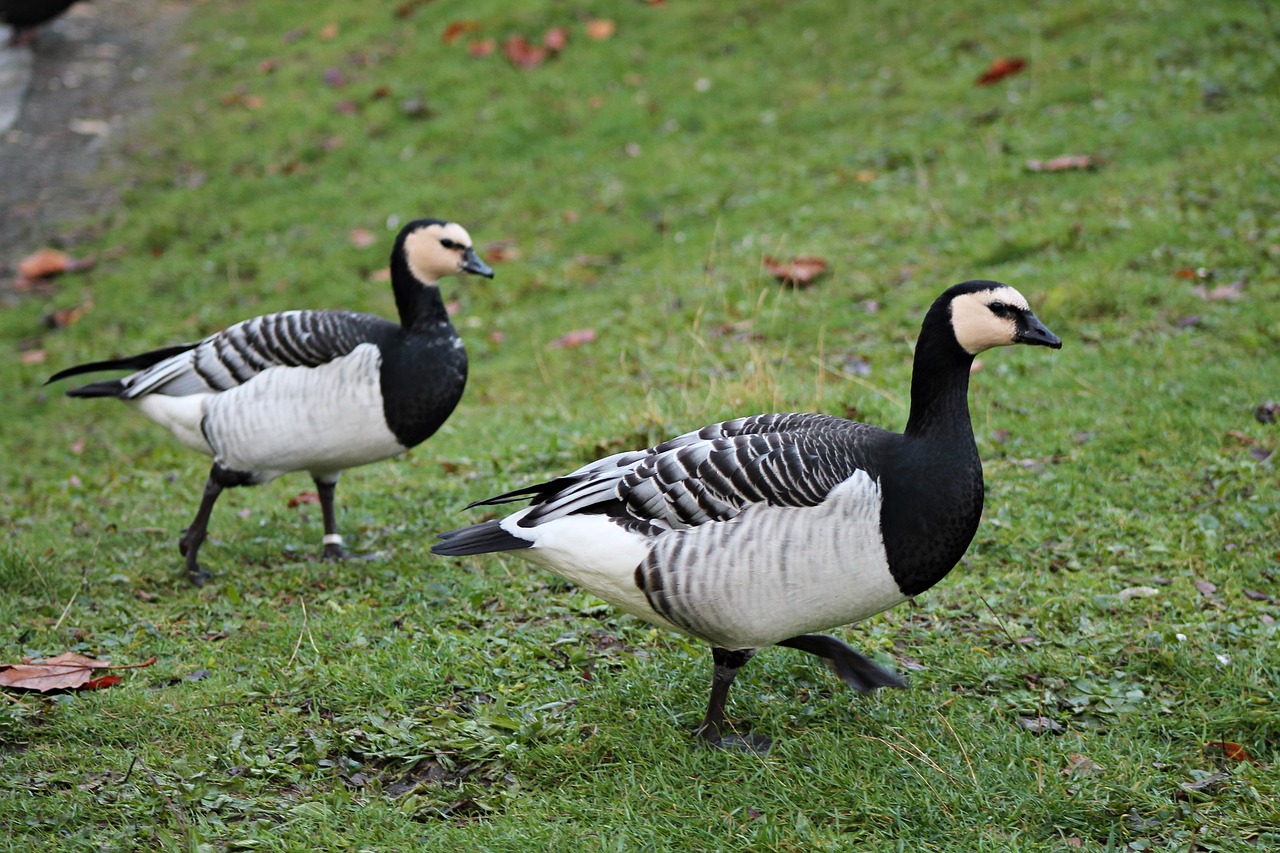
990, 314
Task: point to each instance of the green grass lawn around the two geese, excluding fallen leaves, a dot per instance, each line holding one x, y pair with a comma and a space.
420, 704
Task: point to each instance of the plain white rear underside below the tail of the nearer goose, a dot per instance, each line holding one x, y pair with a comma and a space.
593, 553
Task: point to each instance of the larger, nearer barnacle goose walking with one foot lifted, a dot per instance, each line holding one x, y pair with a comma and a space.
762, 531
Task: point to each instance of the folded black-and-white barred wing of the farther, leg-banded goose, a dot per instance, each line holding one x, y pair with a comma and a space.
234, 357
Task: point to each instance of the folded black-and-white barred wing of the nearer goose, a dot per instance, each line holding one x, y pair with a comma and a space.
711, 475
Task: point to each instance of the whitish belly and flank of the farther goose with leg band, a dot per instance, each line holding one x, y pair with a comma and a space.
322, 419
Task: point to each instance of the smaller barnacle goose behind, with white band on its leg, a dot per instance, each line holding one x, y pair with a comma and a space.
313, 391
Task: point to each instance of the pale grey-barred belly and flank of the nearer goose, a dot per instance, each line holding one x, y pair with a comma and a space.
774, 573
